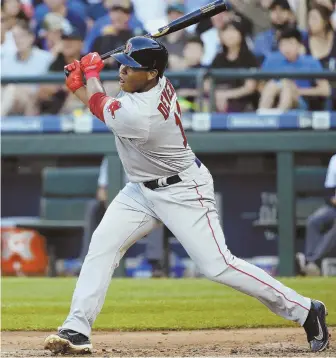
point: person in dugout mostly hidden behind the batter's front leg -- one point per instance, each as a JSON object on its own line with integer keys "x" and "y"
{"x": 95, "y": 212}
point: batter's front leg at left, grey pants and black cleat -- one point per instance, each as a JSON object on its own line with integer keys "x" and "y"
{"x": 126, "y": 220}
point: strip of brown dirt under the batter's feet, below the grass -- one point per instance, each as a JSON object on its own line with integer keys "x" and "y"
{"x": 279, "y": 342}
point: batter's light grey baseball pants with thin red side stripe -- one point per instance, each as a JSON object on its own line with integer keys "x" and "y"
{"x": 188, "y": 210}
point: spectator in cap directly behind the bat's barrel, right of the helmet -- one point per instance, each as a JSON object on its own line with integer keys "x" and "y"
{"x": 176, "y": 41}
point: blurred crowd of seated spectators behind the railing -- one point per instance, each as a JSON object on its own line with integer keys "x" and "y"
{"x": 42, "y": 36}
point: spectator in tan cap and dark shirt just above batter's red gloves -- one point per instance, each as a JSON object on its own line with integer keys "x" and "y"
{"x": 114, "y": 35}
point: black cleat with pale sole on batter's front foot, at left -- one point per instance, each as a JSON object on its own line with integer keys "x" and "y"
{"x": 68, "y": 341}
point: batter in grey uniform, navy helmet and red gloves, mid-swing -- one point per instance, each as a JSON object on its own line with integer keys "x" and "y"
{"x": 168, "y": 184}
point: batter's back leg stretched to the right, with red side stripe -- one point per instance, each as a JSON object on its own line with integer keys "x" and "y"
{"x": 188, "y": 209}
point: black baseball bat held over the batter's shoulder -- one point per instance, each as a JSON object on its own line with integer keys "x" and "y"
{"x": 184, "y": 21}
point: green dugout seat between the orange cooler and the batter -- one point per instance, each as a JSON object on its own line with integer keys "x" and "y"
{"x": 65, "y": 194}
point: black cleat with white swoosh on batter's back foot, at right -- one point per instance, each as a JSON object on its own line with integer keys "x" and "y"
{"x": 316, "y": 327}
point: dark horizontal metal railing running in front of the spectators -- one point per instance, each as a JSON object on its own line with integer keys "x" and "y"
{"x": 199, "y": 74}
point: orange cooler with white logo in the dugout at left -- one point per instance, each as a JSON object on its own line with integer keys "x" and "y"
{"x": 23, "y": 252}
